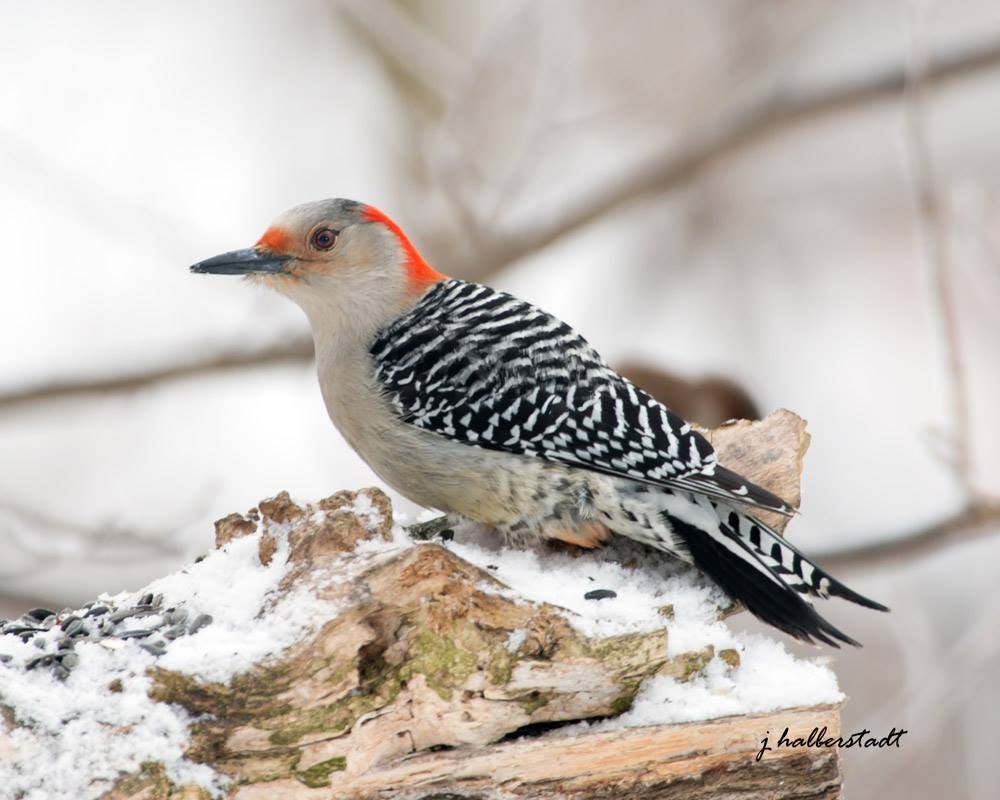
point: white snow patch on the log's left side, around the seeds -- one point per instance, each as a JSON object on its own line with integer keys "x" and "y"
{"x": 78, "y": 735}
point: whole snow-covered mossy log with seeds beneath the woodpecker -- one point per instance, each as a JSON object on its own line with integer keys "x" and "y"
{"x": 319, "y": 651}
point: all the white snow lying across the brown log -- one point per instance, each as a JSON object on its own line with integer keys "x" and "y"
{"x": 78, "y": 735}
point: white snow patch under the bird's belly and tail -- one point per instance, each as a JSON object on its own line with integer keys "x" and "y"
{"x": 654, "y": 591}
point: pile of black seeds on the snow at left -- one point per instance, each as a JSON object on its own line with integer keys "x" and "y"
{"x": 56, "y": 634}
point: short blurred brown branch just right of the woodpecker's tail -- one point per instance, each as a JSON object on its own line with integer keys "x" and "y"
{"x": 979, "y": 519}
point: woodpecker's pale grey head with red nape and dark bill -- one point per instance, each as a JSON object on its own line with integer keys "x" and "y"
{"x": 334, "y": 256}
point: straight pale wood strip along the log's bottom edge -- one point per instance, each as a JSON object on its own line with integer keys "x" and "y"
{"x": 692, "y": 761}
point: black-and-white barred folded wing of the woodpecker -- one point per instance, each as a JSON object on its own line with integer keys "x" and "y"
{"x": 484, "y": 368}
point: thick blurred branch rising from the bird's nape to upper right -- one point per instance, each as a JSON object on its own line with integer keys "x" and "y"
{"x": 677, "y": 169}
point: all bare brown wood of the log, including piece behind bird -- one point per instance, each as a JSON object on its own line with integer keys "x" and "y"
{"x": 430, "y": 679}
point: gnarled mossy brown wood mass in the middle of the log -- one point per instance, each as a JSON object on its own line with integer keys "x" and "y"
{"x": 419, "y": 657}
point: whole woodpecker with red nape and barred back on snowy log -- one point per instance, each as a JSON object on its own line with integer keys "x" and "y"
{"x": 474, "y": 402}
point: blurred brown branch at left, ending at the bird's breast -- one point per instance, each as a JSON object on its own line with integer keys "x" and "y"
{"x": 295, "y": 350}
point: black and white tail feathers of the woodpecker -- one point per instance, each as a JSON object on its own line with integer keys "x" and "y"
{"x": 756, "y": 566}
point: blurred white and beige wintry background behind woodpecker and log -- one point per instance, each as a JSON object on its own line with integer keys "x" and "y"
{"x": 799, "y": 197}
